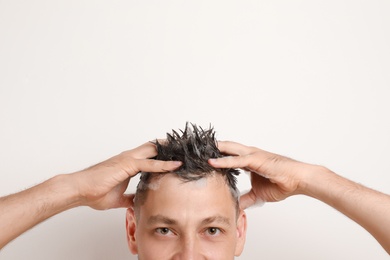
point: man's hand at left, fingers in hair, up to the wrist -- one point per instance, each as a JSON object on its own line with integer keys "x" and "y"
{"x": 102, "y": 186}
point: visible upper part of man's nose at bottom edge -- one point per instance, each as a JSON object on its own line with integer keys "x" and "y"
{"x": 189, "y": 249}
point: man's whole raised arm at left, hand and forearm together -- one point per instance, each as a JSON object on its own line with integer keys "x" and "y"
{"x": 100, "y": 187}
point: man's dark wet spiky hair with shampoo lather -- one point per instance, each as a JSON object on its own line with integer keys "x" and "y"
{"x": 193, "y": 147}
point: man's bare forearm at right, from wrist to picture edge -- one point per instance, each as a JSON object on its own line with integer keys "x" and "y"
{"x": 369, "y": 208}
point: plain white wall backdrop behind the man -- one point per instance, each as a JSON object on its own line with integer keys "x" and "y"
{"x": 81, "y": 81}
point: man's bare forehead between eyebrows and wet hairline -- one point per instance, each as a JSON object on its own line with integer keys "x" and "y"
{"x": 171, "y": 196}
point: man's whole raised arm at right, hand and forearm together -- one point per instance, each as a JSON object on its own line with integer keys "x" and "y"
{"x": 274, "y": 178}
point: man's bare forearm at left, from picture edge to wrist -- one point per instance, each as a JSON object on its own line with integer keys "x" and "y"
{"x": 21, "y": 211}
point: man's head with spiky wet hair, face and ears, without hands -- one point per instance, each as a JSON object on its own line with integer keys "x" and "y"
{"x": 191, "y": 213}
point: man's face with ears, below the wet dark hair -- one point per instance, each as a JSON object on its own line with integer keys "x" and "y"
{"x": 187, "y": 220}
